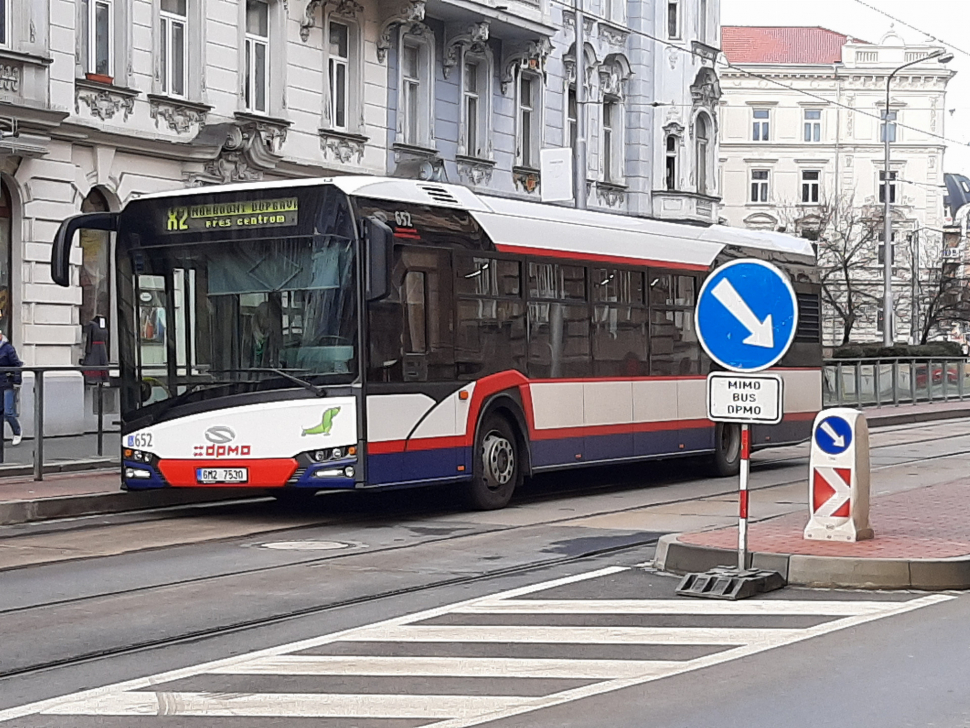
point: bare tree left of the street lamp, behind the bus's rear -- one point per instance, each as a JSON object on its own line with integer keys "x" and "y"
{"x": 845, "y": 238}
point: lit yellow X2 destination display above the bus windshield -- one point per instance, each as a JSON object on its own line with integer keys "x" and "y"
{"x": 242, "y": 214}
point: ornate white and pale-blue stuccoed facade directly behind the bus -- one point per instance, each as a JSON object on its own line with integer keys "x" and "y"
{"x": 105, "y": 100}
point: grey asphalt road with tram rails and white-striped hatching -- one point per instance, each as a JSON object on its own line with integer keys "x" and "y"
{"x": 400, "y": 610}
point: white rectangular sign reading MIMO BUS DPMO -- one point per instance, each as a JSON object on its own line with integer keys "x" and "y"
{"x": 745, "y": 398}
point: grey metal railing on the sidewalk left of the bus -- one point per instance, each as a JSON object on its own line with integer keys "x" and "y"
{"x": 80, "y": 399}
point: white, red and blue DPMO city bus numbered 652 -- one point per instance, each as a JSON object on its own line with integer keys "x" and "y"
{"x": 364, "y": 332}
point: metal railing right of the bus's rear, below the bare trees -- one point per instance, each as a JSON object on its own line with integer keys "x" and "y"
{"x": 894, "y": 381}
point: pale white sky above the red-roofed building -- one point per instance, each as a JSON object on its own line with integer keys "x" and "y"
{"x": 943, "y": 19}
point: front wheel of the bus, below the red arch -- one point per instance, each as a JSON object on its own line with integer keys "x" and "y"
{"x": 497, "y": 468}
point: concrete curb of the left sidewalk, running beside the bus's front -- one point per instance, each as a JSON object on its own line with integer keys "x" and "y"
{"x": 73, "y": 506}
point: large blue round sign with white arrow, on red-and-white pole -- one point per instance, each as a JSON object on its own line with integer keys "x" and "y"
{"x": 747, "y": 314}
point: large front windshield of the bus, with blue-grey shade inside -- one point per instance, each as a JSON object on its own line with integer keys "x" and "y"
{"x": 260, "y": 310}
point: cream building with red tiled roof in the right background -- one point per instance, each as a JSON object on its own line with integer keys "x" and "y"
{"x": 802, "y": 149}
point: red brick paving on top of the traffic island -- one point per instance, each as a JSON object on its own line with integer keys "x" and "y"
{"x": 925, "y": 523}
